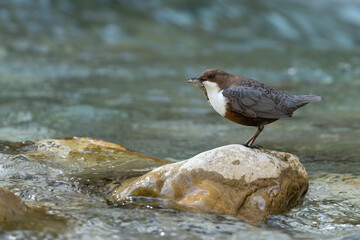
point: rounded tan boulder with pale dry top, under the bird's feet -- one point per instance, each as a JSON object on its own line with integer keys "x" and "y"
{"x": 233, "y": 180}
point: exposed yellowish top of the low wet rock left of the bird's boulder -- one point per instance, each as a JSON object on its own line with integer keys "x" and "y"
{"x": 81, "y": 152}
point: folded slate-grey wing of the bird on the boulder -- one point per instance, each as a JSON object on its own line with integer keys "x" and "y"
{"x": 254, "y": 102}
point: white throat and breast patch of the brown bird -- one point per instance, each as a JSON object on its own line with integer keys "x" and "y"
{"x": 216, "y": 98}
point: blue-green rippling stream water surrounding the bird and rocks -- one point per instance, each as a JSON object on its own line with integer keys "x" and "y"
{"x": 117, "y": 70}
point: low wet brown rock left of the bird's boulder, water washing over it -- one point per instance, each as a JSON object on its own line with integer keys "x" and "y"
{"x": 89, "y": 163}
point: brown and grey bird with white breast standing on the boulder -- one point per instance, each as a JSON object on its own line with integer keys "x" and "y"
{"x": 246, "y": 101}
